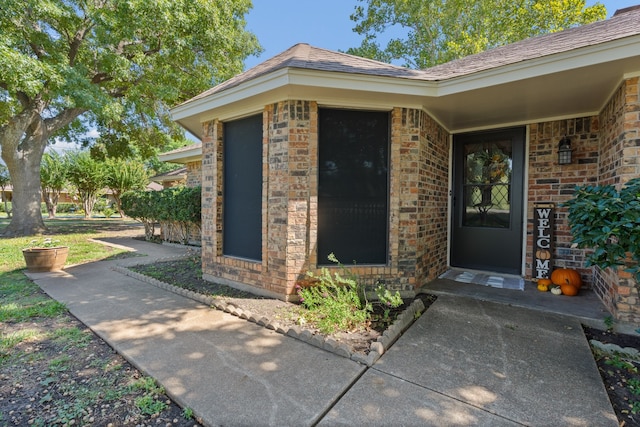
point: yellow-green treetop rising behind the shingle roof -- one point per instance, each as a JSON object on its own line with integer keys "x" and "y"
{"x": 438, "y": 31}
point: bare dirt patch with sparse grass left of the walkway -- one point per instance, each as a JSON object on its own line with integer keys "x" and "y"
{"x": 66, "y": 375}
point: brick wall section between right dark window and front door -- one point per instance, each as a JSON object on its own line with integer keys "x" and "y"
{"x": 419, "y": 195}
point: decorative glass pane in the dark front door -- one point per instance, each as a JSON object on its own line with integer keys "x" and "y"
{"x": 487, "y": 184}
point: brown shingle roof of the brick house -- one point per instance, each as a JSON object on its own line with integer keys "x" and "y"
{"x": 304, "y": 56}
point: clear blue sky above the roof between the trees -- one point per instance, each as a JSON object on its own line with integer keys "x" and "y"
{"x": 280, "y": 24}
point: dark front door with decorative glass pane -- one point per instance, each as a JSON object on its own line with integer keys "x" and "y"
{"x": 487, "y": 223}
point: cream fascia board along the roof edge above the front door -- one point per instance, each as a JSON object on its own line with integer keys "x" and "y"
{"x": 602, "y": 53}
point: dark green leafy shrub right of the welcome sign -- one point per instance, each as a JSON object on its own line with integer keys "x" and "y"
{"x": 608, "y": 221}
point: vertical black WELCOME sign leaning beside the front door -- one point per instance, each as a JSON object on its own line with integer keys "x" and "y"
{"x": 543, "y": 221}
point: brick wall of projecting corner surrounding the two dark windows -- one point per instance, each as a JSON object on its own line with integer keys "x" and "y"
{"x": 418, "y": 194}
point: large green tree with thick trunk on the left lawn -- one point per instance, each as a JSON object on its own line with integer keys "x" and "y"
{"x": 104, "y": 63}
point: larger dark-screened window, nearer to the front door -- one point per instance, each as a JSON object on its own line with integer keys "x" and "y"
{"x": 353, "y": 195}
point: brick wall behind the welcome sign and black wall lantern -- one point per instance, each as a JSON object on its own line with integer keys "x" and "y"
{"x": 551, "y": 182}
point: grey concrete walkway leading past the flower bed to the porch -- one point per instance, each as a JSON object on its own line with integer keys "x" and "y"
{"x": 464, "y": 362}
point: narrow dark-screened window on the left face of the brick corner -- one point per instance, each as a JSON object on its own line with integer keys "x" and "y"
{"x": 242, "y": 203}
